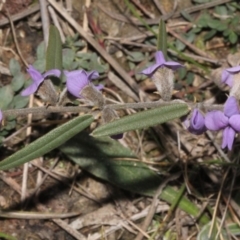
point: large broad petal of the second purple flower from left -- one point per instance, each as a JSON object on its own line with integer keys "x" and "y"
{"x": 76, "y": 81}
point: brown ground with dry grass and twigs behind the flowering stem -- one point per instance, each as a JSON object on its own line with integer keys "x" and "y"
{"x": 109, "y": 188}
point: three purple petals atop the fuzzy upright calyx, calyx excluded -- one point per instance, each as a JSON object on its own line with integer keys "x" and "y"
{"x": 160, "y": 62}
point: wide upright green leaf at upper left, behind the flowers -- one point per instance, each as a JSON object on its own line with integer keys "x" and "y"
{"x": 54, "y": 50}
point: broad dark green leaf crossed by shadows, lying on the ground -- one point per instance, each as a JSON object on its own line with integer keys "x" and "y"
{"x": 109, "y": 160}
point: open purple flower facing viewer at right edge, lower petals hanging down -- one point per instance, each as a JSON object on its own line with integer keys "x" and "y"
{"x": 228, "y": 120}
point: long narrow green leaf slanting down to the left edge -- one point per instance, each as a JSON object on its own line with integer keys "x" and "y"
{"x": 47, "y": 142}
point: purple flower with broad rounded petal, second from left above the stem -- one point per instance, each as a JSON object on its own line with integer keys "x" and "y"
{"x": 78, "y": 79}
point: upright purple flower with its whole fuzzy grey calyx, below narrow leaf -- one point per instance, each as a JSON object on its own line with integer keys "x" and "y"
{"x": 162, "y": 75}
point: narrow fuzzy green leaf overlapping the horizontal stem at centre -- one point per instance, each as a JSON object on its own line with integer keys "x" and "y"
{"x": 143, "y": 119}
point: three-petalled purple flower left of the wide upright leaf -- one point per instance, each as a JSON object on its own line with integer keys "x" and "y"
{"x": 38, "y": 78}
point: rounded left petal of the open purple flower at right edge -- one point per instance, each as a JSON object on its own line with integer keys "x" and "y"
{"x": 215, "y": 120}
